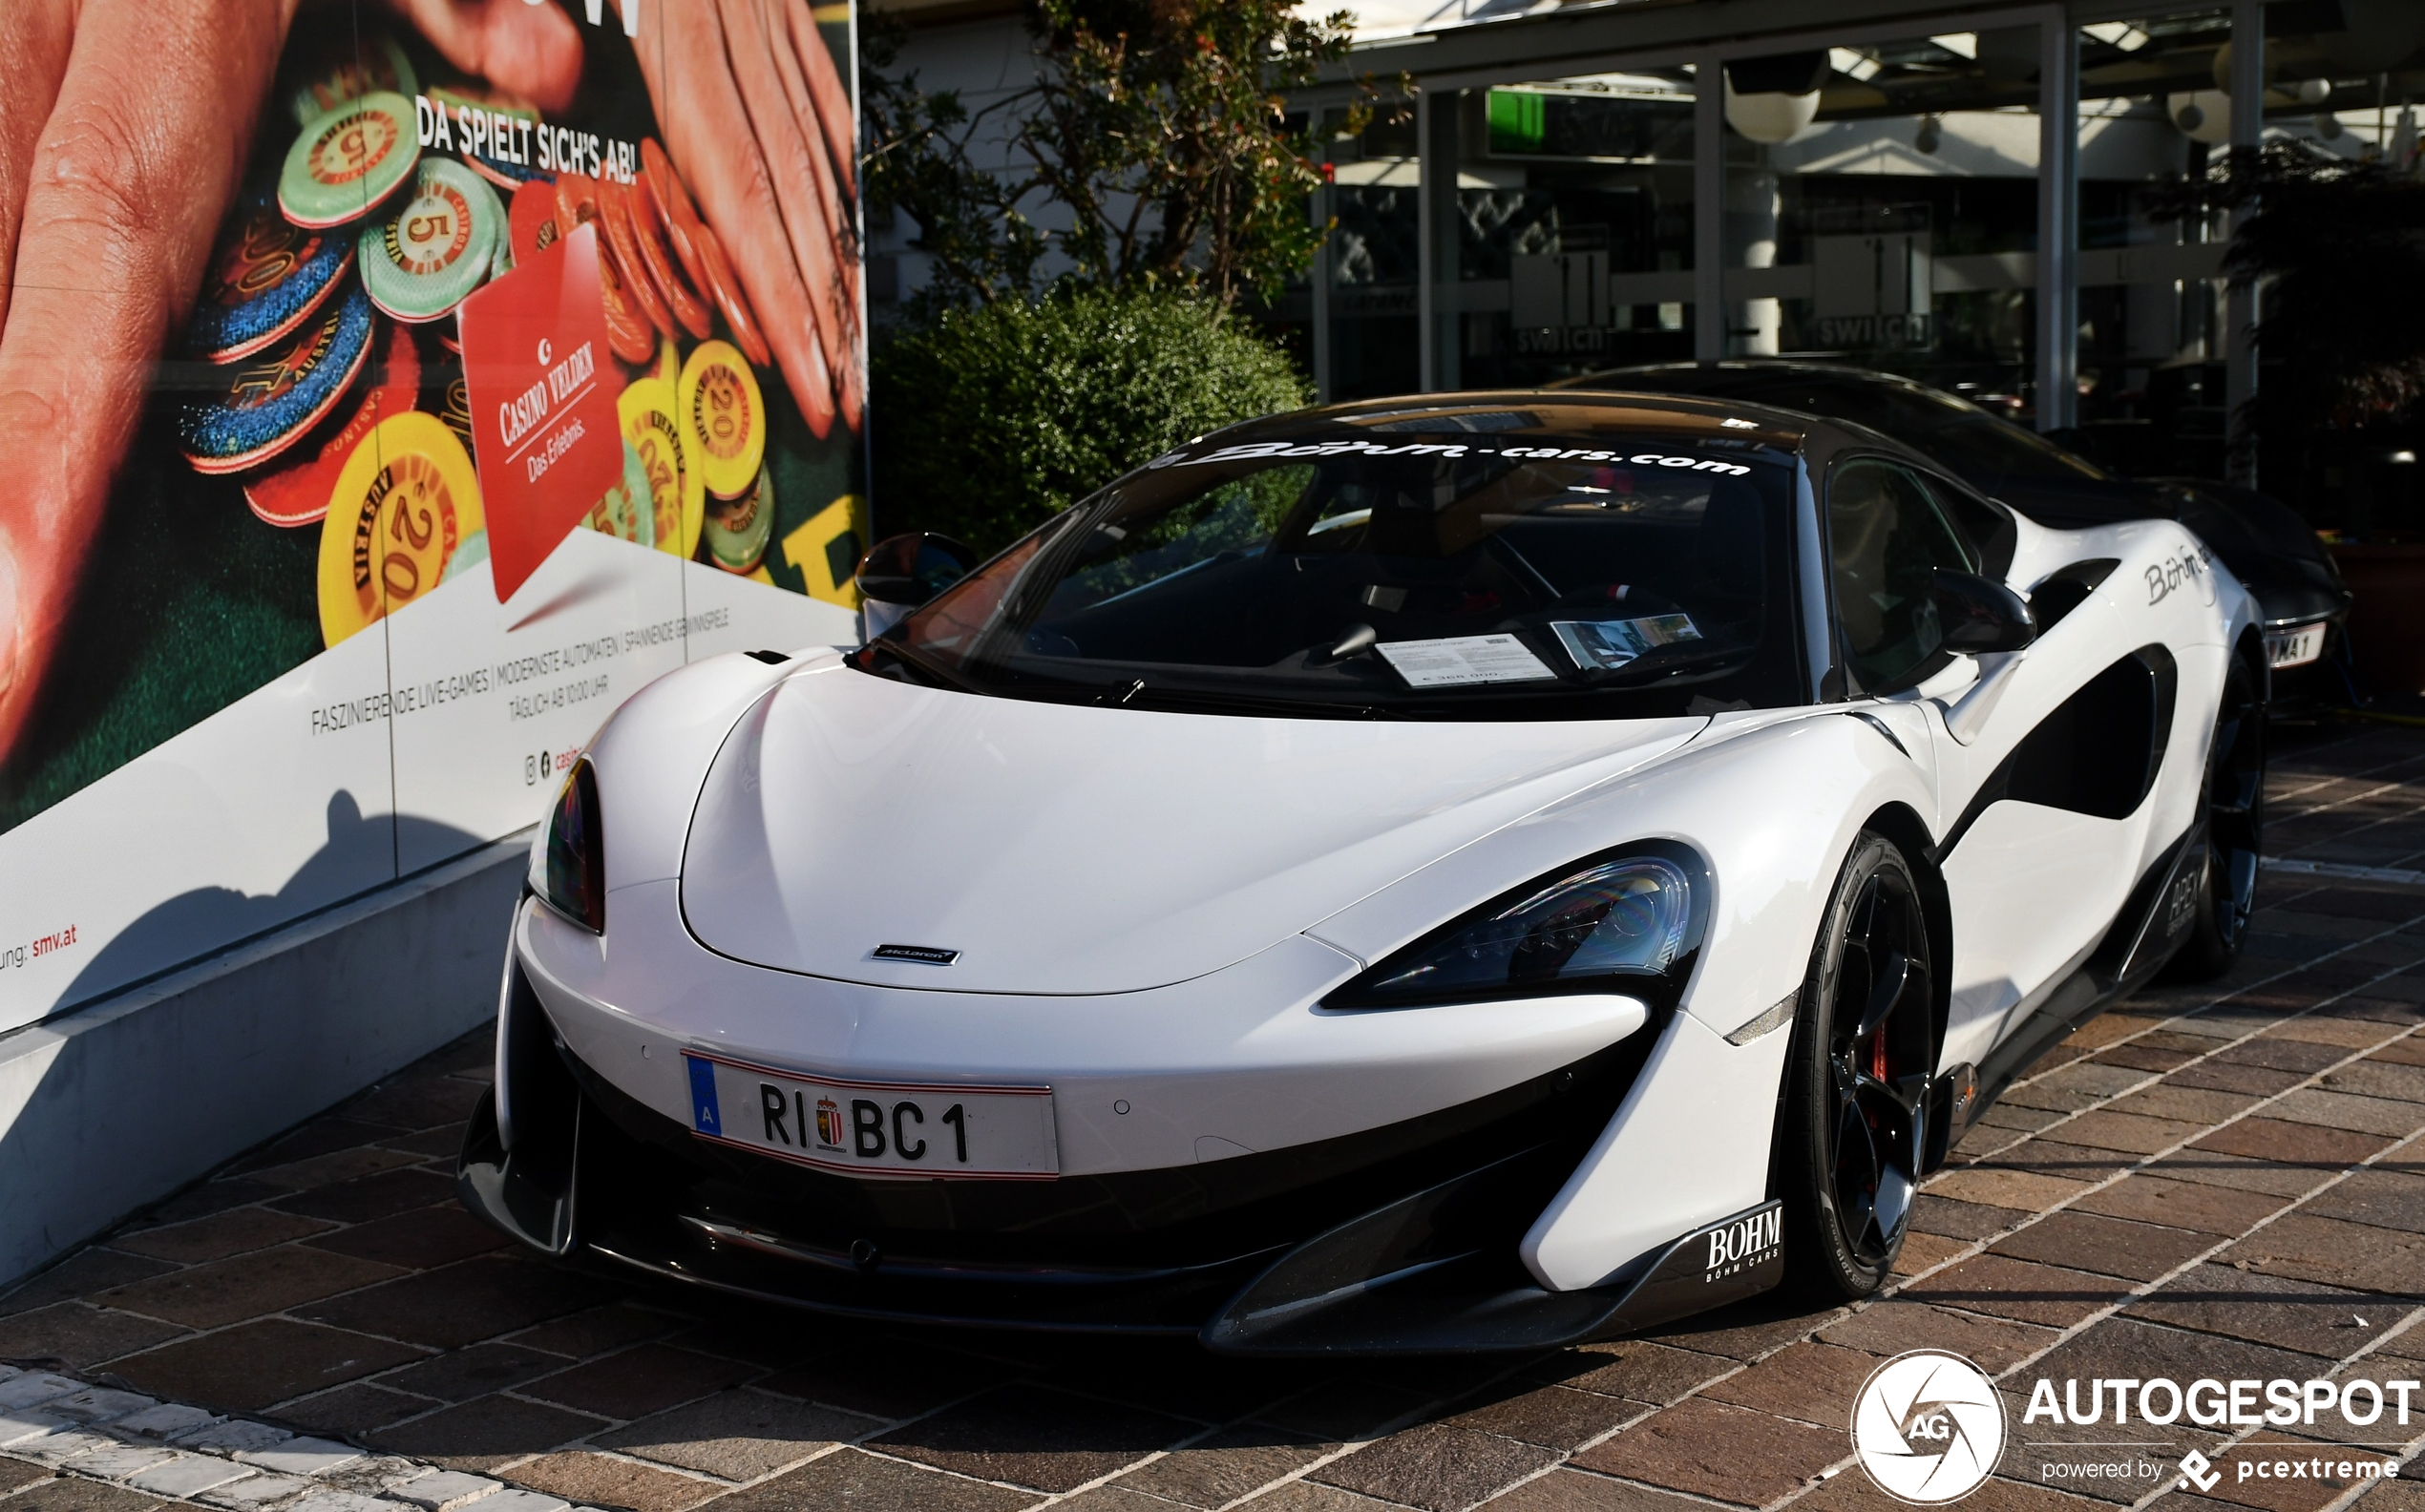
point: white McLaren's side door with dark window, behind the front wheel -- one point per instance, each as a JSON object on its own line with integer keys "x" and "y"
{"x": 2031, "y": 886}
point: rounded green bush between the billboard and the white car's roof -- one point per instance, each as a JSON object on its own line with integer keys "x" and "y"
{"x": 991, "y": 420}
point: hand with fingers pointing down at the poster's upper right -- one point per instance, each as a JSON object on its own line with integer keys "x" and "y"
{"x": 763, "y": 130}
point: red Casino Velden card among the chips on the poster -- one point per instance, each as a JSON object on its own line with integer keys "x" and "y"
{"x": 542, "y": 403}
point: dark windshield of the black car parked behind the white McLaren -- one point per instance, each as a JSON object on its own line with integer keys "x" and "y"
{"x": 1953, "y": 433}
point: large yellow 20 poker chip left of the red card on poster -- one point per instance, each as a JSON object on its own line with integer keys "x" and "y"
{"x": 404, "y": 508}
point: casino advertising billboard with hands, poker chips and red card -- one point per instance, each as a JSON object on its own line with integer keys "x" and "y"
{"x": 387, "y": 394}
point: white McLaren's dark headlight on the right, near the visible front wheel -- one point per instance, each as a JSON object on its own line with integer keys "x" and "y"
{"x": 1631, "y": 917}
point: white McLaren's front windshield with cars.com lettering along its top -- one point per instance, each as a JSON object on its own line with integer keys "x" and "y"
{"x": 1410, "y": 575}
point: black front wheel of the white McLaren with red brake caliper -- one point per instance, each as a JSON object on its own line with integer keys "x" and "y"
{"x": 1856, "y": 1109}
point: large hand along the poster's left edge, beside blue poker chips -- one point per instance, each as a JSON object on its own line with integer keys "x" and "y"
{"x": 125, "y": 130}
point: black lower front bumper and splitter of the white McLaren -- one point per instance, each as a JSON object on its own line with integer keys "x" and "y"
{"x": 1396, "y": 1237}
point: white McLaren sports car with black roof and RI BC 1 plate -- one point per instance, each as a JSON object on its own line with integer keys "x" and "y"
{"x": 1422, "y": 876}
